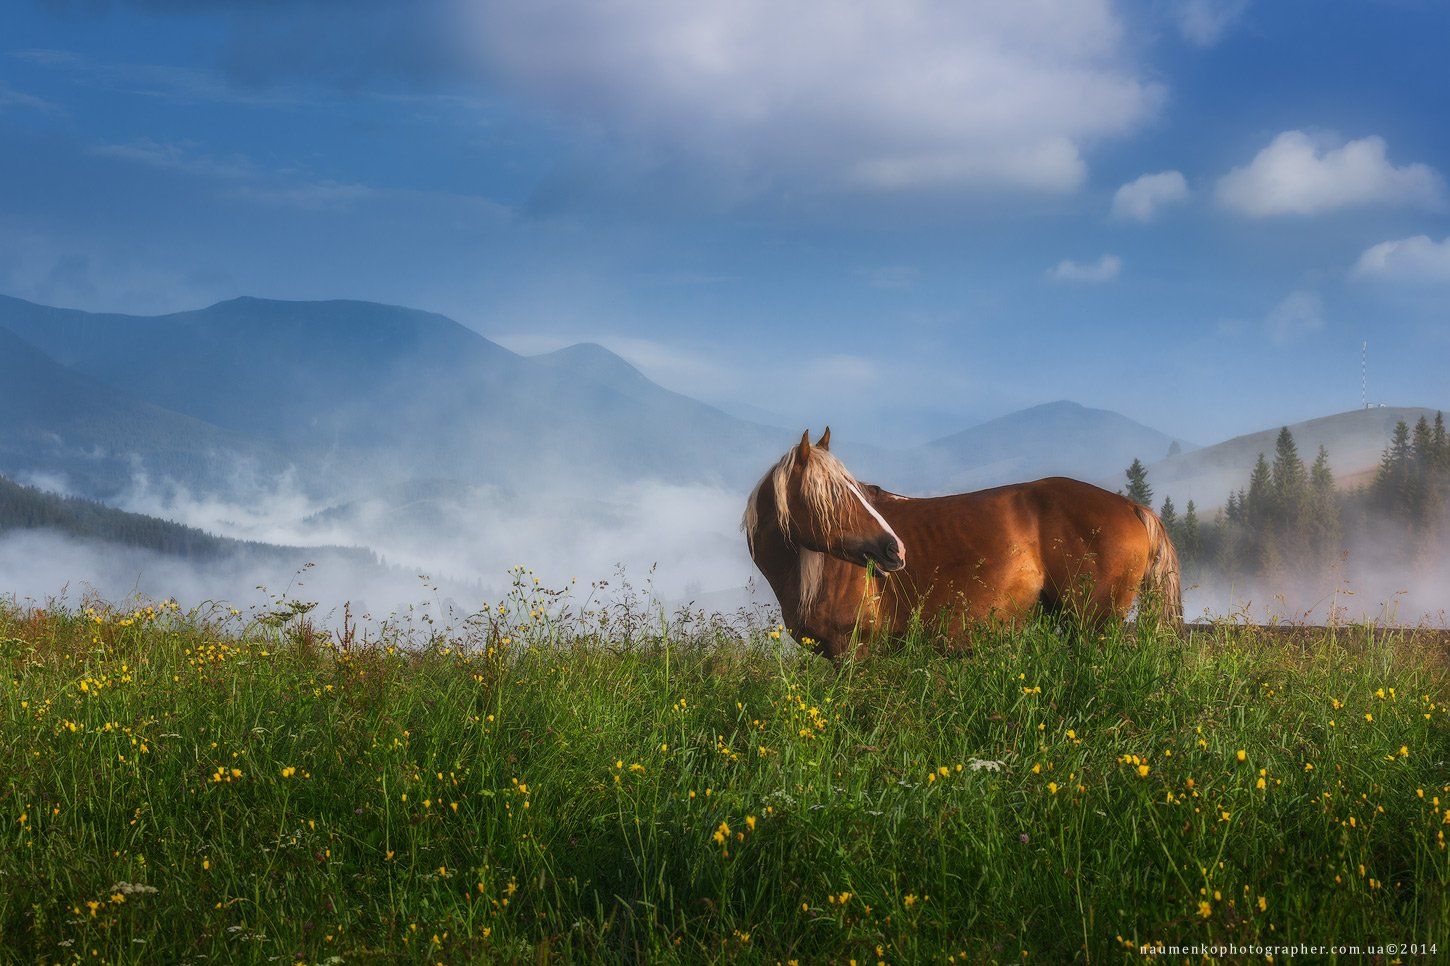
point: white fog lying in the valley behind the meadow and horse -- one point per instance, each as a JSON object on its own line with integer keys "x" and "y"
{"x": 447, "y": 549}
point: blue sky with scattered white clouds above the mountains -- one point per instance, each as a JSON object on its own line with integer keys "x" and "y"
{"x": 900, "y": 218}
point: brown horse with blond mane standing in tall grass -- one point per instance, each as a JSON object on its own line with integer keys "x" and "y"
{"x": 1065, "y": 546}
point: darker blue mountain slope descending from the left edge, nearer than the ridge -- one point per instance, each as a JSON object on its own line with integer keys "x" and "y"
{"x": 56, "y": 421}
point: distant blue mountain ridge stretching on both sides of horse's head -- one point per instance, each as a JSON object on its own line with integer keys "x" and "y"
{"x": 366, "y": 398}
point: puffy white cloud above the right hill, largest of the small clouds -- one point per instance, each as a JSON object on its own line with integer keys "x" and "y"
{"x": 1303, "y": 175}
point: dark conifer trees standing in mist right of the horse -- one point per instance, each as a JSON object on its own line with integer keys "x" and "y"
{"x": 1290, "y": 517}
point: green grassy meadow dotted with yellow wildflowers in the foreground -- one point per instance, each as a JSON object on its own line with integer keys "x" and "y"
{"x": 186, "y": 787}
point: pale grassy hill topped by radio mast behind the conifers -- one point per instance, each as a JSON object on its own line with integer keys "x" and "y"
{"x": 1355, "y": 442}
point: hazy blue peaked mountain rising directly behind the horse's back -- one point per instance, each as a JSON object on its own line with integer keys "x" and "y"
{"x": 1059, "y": 439}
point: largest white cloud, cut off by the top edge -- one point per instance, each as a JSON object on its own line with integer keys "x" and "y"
{"x": 894, "y": 96}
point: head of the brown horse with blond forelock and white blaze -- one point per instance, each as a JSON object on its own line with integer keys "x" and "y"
{"x": 819, "y": 505}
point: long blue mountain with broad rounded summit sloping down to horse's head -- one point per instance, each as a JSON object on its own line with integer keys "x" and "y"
{"x": 357, "y": 391}
